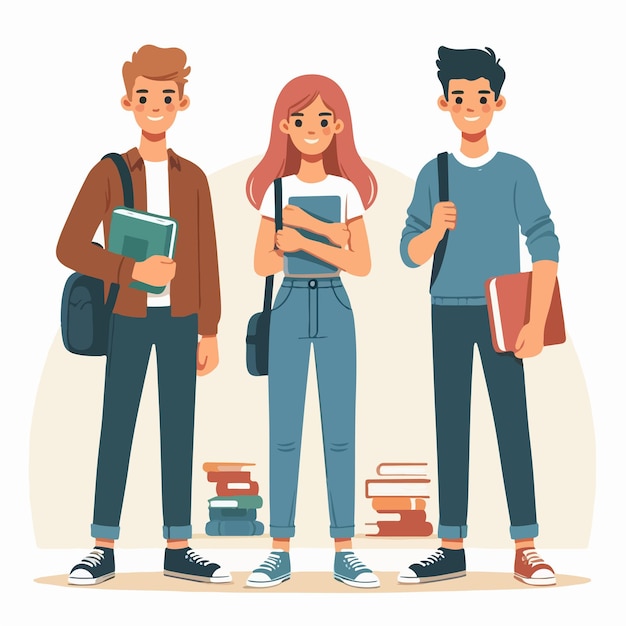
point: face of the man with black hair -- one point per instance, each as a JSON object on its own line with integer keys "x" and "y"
{"x": 471, "y": 103}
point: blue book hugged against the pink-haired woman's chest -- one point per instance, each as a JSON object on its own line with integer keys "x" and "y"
{"x": 325, "y": 209}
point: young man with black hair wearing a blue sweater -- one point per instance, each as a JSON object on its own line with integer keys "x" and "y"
{"x": 493, "y": 196}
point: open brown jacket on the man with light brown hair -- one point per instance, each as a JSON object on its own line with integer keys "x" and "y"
{"x": 195, "y": 287}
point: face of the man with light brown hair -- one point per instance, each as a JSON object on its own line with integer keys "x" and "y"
{"x": 155, "y": 104}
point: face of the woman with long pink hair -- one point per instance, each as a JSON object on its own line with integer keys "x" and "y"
{"x": 312, "y": 129}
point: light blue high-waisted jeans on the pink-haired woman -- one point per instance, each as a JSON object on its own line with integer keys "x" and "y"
{"x": 312, "y": 312}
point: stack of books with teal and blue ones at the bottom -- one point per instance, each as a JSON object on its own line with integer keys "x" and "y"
{"x": 233, "y": 510}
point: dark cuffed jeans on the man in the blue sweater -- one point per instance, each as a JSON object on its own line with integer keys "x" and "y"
{"x": 455, "y": 331}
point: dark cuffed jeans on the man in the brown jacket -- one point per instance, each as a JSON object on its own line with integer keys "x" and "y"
{"x": 131, "y": 341}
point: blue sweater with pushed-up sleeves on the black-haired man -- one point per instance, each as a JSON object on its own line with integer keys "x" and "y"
{"x": 494, "y": 202}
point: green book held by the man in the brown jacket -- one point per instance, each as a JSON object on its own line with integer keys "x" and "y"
{"x": 139, "y": 235}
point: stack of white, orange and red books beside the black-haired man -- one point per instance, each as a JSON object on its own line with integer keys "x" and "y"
{"x": 399, "y": 495}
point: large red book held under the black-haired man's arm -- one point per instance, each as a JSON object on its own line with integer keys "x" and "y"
{"x": 508, "y": 305}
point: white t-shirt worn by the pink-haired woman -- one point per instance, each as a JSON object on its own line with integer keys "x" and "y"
{"x": 351, "y": 205}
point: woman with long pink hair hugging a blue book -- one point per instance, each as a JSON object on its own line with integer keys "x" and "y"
{"x": 325, "y": 189}
